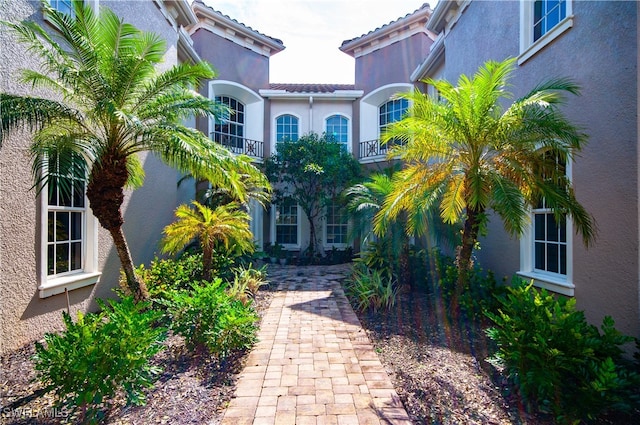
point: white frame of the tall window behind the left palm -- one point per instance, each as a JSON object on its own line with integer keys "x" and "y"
{"x": 67, "y": 281}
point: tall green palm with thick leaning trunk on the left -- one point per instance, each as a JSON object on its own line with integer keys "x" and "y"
{"x": 109, "y": 104}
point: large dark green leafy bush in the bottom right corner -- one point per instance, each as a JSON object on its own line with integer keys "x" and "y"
{"x": 557, "y": 360}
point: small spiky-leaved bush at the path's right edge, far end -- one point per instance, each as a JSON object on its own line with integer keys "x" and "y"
{"x": 371, "y": 289}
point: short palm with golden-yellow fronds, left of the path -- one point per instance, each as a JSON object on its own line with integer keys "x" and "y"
{"x": 225, "y": 224}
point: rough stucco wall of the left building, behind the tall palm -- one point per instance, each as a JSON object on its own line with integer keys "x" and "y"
{"x": 23, "y": 315}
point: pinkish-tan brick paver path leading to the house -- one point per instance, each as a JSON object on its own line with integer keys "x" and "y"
{"x": 313, "y": 364}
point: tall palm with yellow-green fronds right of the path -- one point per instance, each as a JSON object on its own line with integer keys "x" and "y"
{"x": 466, "y": 155}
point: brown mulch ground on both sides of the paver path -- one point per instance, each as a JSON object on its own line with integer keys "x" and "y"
{"x": 439, "y": 370}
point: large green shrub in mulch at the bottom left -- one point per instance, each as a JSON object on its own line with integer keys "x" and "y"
{"x": 99, "y": 355}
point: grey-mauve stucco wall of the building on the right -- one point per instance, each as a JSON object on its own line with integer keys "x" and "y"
{"x": 600, "y": 54}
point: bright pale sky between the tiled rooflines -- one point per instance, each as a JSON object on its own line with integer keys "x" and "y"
{"x": 313, "y": 30}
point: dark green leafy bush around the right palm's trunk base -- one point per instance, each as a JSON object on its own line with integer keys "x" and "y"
{"x": 478, "y": 296}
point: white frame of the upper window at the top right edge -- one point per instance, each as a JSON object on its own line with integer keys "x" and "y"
{"x": 529, "y": 47}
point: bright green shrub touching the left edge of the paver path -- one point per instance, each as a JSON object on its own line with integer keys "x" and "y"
{"x": 208, "y": 317}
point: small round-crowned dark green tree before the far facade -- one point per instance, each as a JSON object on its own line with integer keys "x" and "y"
{"x": 312, "y": 172}
